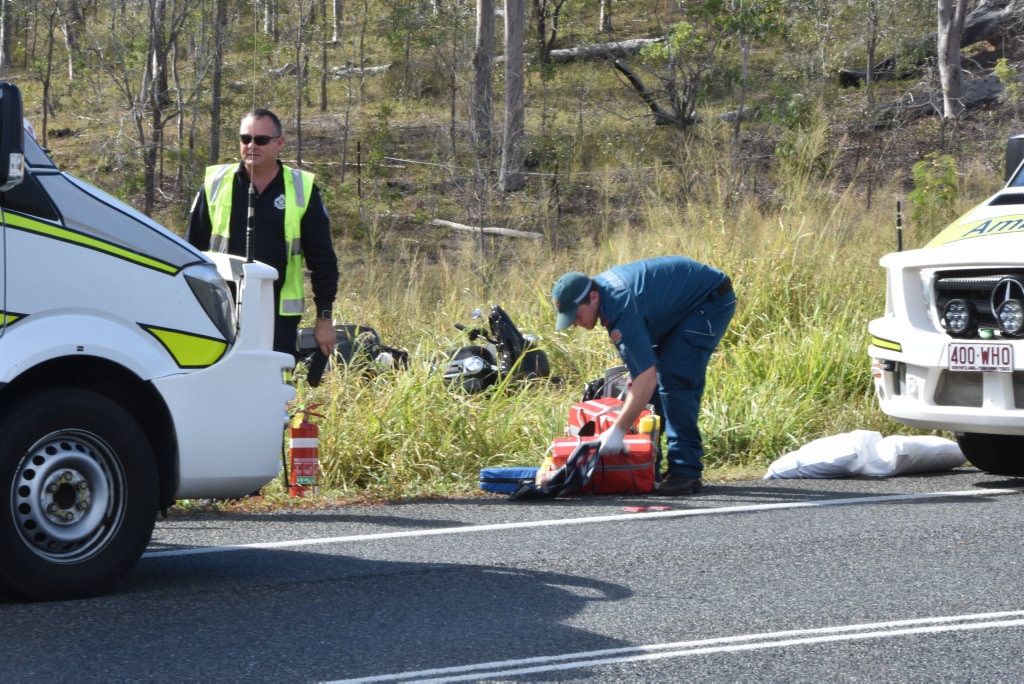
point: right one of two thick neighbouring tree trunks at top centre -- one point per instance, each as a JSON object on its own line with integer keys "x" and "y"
{"x": 513, "y": 176}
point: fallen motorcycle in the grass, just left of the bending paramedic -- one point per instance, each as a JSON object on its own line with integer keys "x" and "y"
{"x": 495, "y": 353}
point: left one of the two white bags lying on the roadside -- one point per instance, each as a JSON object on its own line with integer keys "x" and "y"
{"x": 836, "y": 456}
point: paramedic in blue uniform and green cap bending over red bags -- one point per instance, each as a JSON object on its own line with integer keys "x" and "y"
{"x": 666, "y": 317}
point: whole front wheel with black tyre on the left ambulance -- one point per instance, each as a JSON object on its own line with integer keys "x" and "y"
{"x": 80, "y": 483}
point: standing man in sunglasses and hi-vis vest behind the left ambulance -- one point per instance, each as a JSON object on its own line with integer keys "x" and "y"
{"x": 291, "y": 226}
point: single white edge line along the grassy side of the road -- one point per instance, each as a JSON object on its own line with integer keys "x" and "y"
{"x": 470, "y": 529}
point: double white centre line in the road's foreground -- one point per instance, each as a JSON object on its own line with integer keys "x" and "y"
{"x": 747, "y": 643}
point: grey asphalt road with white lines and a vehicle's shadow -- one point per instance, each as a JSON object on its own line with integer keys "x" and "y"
{"x": 908, "y": 579}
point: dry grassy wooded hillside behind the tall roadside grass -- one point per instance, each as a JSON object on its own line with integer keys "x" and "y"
{"x": 393, "y": 148}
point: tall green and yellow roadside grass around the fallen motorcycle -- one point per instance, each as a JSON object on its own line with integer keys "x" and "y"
{"x": 793, "y": 367}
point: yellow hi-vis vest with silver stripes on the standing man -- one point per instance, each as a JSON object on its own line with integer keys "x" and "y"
{"x": 298, "y": 190}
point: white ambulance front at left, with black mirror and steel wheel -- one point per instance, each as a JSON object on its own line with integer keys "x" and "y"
{"x": 135, "y": 371}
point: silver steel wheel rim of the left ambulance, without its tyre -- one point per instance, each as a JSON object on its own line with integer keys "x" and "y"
{"x": 64, "y": 496}
